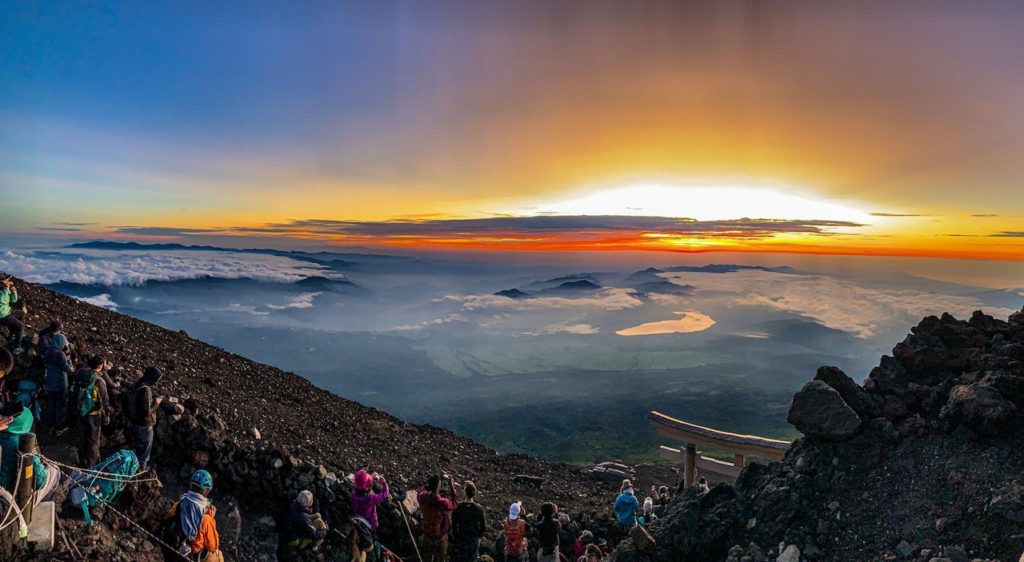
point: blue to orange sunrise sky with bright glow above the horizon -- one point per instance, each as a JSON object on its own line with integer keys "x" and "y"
{"x": 852, "y": 128}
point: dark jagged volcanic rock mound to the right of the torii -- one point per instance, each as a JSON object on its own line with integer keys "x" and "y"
{"x": 925, "y": 461}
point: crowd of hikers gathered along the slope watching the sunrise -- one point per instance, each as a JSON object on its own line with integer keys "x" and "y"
{"x": 50, "y": 383}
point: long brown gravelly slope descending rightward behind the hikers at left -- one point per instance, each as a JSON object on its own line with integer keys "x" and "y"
{"x": 266, "y": 435}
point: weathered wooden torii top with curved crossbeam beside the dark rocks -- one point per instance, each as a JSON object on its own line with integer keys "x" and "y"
{"x": 693, "y": 436}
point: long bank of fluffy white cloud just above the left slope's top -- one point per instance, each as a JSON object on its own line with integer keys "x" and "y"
{"x": 113, "y": 269}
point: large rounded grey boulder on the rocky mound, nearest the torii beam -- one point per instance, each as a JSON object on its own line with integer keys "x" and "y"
{"x": 819, "y": 410}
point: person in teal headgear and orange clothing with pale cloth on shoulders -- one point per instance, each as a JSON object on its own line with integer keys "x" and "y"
{"x": 193, "y": 529}
